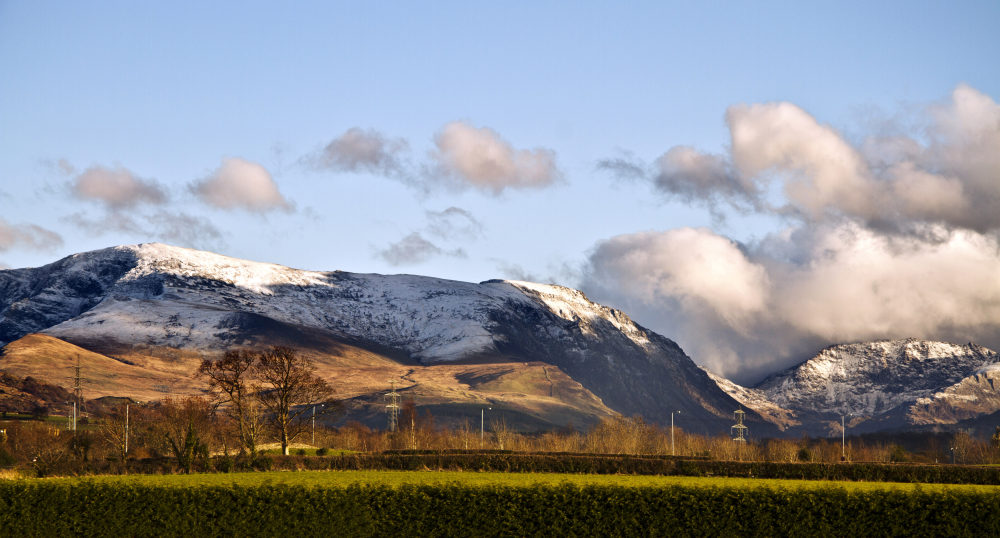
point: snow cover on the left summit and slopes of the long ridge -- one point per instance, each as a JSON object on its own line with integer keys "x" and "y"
{"x": 180, "y": 297}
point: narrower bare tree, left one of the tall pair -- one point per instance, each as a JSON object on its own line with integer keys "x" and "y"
{"x": 229, "y": 381}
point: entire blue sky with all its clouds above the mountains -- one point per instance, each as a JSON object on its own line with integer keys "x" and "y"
{"x": 755, "y": 180}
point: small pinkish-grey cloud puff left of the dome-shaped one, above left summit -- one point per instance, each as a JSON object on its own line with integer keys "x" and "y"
{"x": 117, "y": 188}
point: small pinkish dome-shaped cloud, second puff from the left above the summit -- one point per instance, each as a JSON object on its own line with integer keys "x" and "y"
{"x": 241, "y": 184}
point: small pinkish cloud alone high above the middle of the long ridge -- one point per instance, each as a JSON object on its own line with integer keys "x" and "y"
{"x": 480, "y": 158}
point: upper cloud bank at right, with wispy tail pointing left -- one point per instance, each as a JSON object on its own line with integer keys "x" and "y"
{"x": 943, "y": 173}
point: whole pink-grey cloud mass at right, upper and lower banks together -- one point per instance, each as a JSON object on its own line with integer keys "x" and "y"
{"x": 887, "y": 237}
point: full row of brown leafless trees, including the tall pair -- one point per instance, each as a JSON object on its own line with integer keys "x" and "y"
{"x": 257, "y": 396}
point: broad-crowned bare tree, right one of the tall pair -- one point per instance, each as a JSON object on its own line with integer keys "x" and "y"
{"x": 289, "y": 389}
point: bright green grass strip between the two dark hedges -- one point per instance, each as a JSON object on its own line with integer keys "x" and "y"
{"x": 398, "y": 478}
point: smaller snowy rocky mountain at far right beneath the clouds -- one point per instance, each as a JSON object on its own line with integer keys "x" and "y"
{"x": 880, "y": 385}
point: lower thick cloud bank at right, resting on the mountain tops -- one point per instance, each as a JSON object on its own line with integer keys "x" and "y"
{"x": 746, "y": 310}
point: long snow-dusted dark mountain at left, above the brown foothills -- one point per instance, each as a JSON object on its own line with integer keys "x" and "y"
{"x": 165, "y": 297}
